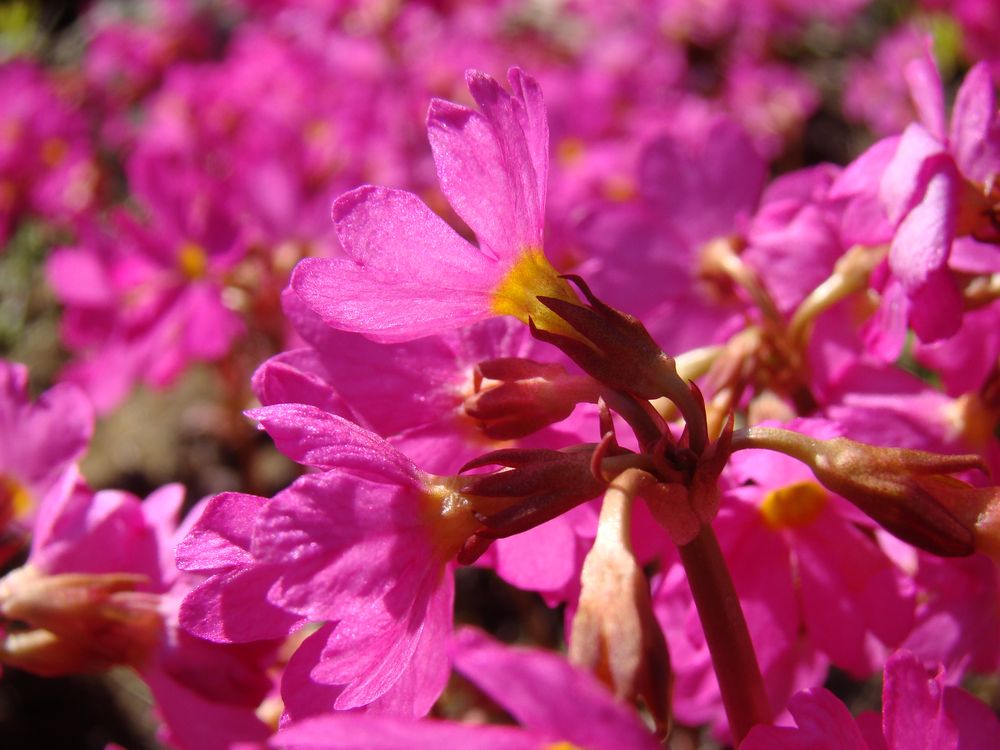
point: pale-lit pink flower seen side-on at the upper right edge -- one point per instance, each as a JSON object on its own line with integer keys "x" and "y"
{"x": 936, "y": 193}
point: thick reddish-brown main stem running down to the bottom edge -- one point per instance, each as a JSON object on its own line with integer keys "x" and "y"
{"x": 733, "y": 657}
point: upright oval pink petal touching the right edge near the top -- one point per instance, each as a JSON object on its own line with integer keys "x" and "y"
{"x": 975, "y": 128}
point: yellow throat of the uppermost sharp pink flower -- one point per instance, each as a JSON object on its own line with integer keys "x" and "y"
{"x": 531, "y": 277}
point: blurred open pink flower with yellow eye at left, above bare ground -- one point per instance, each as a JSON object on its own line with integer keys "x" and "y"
{"x": 145, "y": 300}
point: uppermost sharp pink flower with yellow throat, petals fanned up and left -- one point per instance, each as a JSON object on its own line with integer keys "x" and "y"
{"x": 408, "y": 274}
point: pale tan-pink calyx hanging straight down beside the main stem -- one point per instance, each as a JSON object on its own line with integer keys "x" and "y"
{"x": 615, "y": 633}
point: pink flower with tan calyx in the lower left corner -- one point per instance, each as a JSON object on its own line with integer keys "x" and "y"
{"x": 100, "y": 589}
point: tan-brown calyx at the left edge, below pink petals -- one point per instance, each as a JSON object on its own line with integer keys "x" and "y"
{"x": 77, "y": 623}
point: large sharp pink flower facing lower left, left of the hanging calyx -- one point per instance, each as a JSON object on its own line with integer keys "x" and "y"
{"x": 364, "y": 545}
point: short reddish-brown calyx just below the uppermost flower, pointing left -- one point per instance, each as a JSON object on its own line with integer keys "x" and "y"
{"x": 529, "y": 396}
